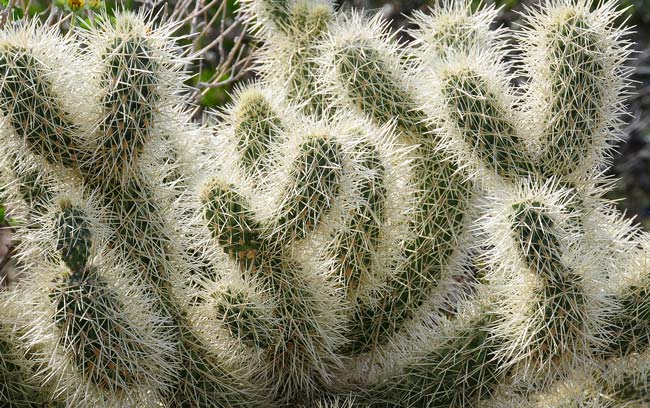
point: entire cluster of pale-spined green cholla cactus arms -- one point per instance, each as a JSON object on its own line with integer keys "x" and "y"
{"x": 370, "y": 224}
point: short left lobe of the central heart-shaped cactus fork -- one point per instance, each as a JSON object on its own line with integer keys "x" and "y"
{"x": 231, "y": 222}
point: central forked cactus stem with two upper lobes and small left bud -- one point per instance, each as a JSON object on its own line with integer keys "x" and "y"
{"x": 297, "y": 329}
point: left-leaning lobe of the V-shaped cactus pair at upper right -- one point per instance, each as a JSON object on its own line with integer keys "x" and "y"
{"x": 477, "y": 113}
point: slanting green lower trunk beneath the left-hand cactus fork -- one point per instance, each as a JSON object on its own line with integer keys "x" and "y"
{"x": 203, "y": 378}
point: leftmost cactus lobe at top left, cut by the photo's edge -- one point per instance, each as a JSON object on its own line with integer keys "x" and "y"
{"x": 34, "y": 101}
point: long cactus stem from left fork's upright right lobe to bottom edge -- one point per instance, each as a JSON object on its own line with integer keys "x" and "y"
{"x": 136, "y": 53}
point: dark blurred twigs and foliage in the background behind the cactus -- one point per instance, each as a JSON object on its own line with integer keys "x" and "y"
{"x": 212, "y": 30}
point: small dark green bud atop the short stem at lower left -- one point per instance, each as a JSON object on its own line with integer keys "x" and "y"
{"x": 74, "y": 238}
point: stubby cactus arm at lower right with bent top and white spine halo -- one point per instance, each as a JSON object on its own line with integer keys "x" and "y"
{"x": 548, "y": 315}
